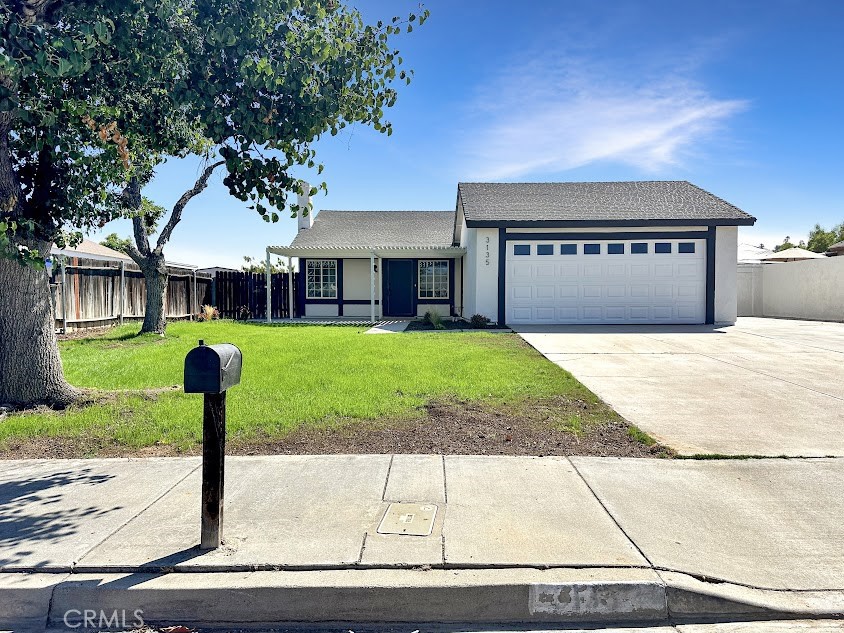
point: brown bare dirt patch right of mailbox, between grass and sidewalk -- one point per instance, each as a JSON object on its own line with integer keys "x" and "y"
{"x": 552, "y": 426}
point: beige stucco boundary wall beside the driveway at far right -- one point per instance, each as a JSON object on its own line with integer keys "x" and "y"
{"x": 812, "y": 289}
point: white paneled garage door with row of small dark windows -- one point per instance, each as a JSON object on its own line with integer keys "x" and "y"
{"x": 629, "y": 281}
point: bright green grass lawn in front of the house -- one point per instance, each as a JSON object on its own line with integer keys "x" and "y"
{"x": 292, "y": 376}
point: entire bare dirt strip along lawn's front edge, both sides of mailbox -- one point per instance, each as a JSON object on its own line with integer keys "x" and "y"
{"x": 540, "y": 427}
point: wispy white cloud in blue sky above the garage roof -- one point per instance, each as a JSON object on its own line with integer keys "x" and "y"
{"x": 554, "y": 115}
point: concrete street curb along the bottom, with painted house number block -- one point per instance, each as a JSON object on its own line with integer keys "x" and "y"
{"x": 32, "y": 602}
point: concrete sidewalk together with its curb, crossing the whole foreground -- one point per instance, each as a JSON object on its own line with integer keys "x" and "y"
{"x": 514, "y": 539}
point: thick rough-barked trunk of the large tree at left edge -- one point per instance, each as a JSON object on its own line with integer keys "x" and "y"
{"x": 30, "y": 366}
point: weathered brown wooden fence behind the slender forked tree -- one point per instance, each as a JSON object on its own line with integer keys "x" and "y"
{"x": 87, "y": 293}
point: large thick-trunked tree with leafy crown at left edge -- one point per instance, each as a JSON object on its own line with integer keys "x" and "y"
{"x": 81, "y": 84}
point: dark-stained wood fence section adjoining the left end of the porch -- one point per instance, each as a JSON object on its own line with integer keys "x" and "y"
{"x": 240, "y": 295}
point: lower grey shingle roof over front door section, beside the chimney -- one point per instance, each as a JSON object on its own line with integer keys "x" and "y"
{"x": 378, "y": 229}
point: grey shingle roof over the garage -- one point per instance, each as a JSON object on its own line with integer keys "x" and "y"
{"x": 595, "y": 203}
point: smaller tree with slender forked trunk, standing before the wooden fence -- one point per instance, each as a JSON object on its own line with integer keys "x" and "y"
{"x": 276, "y": 76}
